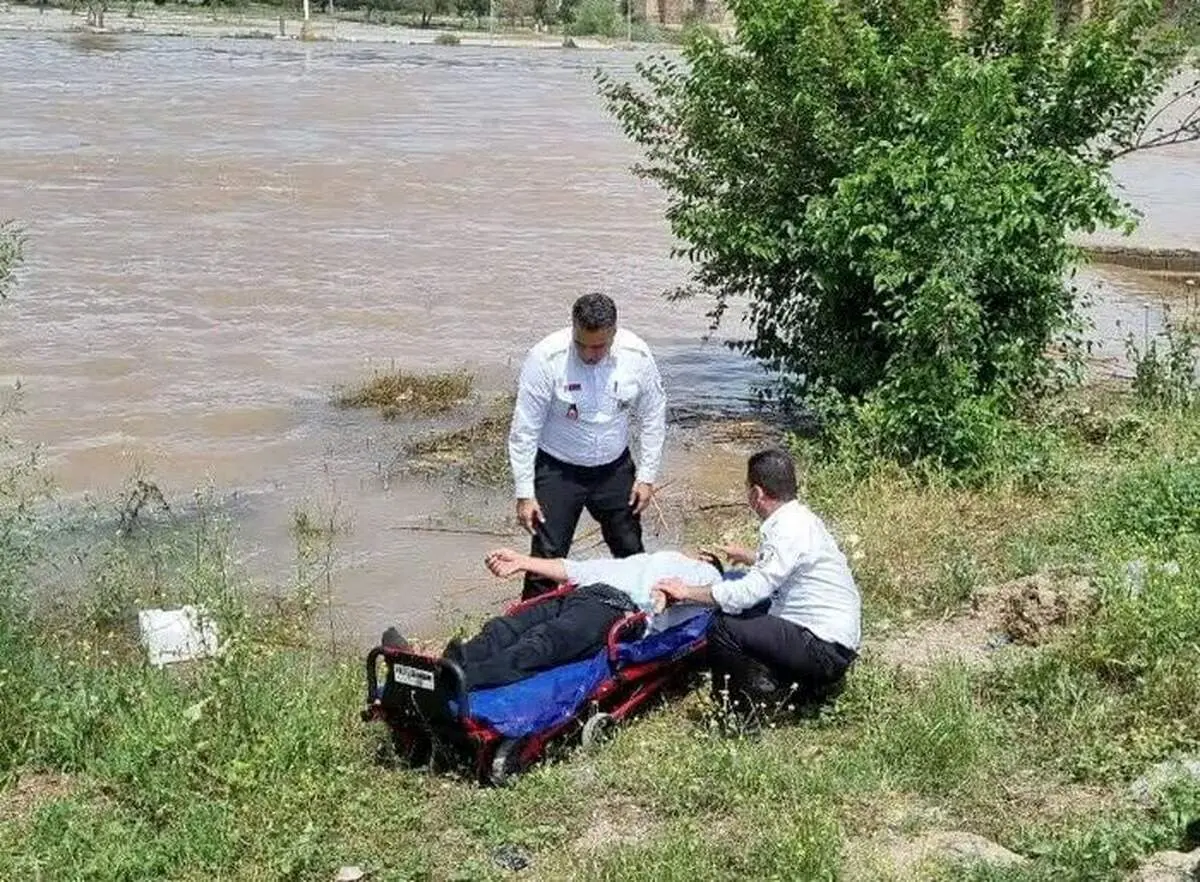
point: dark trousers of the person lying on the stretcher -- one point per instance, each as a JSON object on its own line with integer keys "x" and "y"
{"x": 548, "y": 634}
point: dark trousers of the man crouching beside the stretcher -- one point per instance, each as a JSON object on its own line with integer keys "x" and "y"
{"x": 763, "y": 658}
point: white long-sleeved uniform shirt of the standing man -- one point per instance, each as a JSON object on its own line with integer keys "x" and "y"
{"x": 579, "y": 413}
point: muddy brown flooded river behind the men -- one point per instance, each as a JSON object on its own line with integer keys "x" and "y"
{"x": 220, "y": 233}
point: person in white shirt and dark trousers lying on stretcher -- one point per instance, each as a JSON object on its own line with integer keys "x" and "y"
{"x": 575, "y": 626}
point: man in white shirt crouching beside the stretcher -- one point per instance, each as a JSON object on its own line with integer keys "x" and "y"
{"x": 790, "y": 628}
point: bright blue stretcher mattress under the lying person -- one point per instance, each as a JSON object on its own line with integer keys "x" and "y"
{"x": 553, "y": 697}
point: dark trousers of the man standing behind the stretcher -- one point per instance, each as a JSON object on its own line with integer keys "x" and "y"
{"x": 563, "y": 491}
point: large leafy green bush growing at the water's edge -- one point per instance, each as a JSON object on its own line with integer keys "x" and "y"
{"x": 892, "y": 196}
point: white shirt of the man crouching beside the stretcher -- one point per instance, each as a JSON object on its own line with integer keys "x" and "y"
{"x": 805, "y": 574}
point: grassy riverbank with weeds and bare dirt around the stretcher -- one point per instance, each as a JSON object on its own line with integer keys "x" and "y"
{"x": 256, "y": 766}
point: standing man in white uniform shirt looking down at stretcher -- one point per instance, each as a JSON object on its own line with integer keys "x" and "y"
{"x": 569, "y": 442}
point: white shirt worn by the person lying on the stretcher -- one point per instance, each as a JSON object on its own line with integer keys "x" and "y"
{"x": 635, "y": 575}
